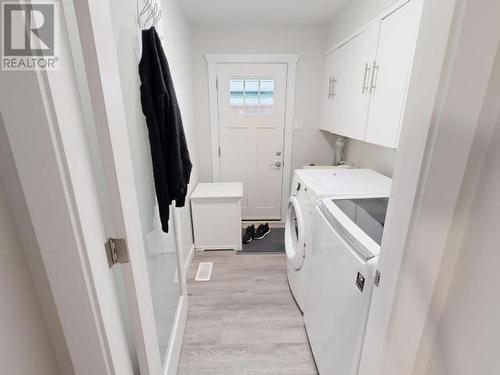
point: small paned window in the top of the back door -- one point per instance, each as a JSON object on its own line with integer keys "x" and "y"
{"x": 251, "y": 95}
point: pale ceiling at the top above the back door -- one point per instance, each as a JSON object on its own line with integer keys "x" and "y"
{"x": 261, "y": 11}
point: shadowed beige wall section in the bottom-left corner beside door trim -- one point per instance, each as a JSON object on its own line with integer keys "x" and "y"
{"x": 25, "y": 341}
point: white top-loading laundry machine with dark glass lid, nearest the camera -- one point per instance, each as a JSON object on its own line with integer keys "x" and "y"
{"x": 344, "y": 256}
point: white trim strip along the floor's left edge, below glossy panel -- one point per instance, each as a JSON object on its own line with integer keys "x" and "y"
{"x": 176, "y": 338}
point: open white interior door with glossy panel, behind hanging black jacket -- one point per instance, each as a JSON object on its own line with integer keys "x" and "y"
{"x": 152, "y": 283}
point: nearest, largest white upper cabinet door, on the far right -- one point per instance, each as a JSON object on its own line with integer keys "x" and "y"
{"x": 392, "y": 71}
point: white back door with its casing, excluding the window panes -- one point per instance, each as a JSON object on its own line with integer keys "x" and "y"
{"x": 267, "y": 185}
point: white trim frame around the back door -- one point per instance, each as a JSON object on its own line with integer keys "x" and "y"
{"x": 291, "y": 61}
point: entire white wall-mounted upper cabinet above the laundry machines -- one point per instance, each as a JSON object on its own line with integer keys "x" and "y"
{"x": 366, "y": 78}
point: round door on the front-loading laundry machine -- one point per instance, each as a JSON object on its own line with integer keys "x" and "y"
{"x": 295, "y": 234}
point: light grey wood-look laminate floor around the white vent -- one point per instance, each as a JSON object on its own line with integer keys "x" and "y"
{"x": 244, "y": 320}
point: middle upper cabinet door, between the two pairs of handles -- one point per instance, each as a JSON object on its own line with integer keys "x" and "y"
{"x": 355, "y": 60}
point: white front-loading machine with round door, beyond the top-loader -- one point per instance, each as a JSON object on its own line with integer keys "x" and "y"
{"x": 308, "y": 186}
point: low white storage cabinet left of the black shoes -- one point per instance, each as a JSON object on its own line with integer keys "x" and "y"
{"x": 216, "y": 213}
